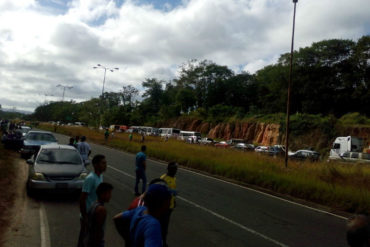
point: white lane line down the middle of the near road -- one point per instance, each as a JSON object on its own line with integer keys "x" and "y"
{"x": 215, "y": 214}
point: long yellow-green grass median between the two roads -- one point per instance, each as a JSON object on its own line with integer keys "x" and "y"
{"x": 340, "y": 186}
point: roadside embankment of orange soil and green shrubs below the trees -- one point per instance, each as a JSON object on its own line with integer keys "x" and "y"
{"x": 308, "y": 131}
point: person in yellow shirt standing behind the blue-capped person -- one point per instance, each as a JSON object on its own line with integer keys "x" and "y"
{"x": 170, "y": 180}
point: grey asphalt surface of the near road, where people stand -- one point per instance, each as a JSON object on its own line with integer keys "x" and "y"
{"x": 209, "y": 212}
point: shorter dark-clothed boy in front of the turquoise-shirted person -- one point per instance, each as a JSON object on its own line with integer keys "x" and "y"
{"x": 97, "y": 215}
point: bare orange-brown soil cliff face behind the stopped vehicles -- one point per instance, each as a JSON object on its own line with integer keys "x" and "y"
{"x": 268, "y": 133}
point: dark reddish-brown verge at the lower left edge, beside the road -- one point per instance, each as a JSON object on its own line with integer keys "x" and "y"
{"x": 7, "y": 176}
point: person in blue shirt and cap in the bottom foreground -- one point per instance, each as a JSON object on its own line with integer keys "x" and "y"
{"x": 144, "y": 226}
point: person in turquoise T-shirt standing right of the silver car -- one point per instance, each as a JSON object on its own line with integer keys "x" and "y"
{"x": 88, "y": 194}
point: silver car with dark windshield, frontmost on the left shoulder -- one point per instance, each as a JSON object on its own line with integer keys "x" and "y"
{"x": 56, "y": 167}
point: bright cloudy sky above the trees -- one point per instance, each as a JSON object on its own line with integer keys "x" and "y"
{"x": 44, "y": 43}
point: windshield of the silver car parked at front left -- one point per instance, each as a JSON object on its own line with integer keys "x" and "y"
{"x": 59, "y": 156}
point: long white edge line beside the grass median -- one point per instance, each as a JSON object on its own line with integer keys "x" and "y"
{"x": 243, "y": 187}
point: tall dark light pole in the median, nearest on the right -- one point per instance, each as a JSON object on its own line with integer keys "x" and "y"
{"x": 289, "y": 85}
